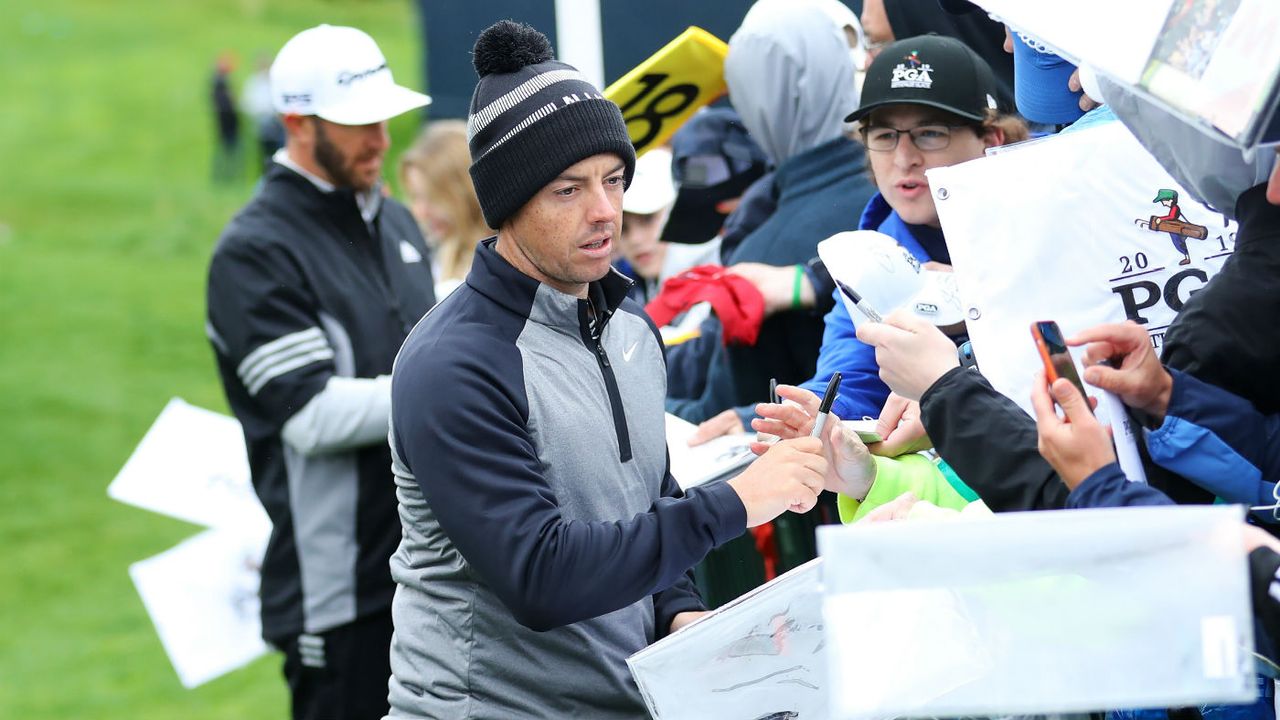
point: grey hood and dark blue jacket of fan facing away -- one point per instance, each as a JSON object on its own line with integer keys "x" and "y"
{"x": 792, "y": 80}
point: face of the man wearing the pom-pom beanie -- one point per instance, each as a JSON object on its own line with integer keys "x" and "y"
{"x": 565, "y": 235}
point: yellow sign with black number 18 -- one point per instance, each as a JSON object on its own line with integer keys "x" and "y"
{"x": 660, "y": 94}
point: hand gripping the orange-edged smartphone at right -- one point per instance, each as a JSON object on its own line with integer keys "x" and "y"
{"x": 1076, "y": 448}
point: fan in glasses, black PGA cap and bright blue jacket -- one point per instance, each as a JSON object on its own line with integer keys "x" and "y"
{"x": 929, "y": 102}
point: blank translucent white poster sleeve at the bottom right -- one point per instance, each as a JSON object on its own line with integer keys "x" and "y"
{"x": 1037, "y": 613}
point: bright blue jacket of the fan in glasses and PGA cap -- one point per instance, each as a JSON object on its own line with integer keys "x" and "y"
{"x": 862, "y": 394}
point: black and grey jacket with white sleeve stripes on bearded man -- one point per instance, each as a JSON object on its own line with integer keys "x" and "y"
{"x": 308, "y": 299}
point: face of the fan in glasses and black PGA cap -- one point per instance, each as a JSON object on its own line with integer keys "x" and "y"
{"x": 900, "y": 172}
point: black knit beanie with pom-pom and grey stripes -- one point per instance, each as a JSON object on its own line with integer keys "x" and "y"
{"x": 532, "y": 119}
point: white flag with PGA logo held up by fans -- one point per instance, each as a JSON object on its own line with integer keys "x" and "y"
{"x": 1082, "y": 229}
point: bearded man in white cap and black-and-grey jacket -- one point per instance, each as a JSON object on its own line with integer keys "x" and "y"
{"x": 312, "y": 290}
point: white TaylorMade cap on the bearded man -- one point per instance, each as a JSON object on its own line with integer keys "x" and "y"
{"x": 340, "y": 75}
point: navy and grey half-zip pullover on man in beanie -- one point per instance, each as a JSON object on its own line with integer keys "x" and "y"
{"x": 545, "y": 537}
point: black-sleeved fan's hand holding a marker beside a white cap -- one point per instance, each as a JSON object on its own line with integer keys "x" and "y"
{"x": 912, "y": 354}
